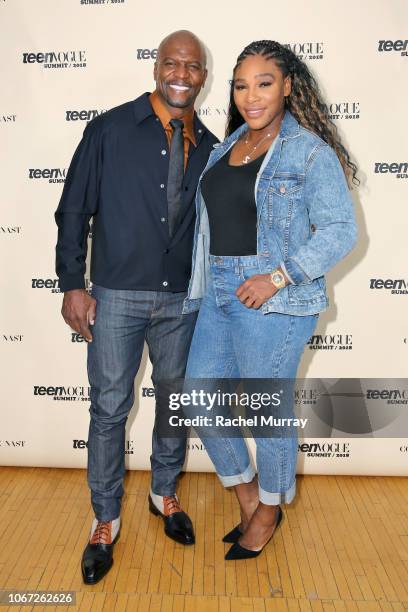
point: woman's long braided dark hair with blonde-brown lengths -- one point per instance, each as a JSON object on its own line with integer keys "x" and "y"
{"x": 304, "y": 102}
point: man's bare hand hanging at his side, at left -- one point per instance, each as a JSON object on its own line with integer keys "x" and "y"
{"x": 79, "y": 311}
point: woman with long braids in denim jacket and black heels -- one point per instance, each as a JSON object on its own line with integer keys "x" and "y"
{"x": 274, "y": 214}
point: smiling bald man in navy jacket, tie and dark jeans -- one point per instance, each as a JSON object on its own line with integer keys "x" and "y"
{"x": 135, "y": 172}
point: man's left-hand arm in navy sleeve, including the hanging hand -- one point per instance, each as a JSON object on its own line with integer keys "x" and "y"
{"x": 79, "y": 201}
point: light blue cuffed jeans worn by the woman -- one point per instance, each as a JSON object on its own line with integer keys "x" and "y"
{"x": 233, "y": 341}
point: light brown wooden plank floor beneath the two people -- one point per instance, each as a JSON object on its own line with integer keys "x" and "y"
{"x": 343, "y": 545}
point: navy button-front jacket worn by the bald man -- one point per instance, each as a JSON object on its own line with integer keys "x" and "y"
{"x": 118, "y": 176}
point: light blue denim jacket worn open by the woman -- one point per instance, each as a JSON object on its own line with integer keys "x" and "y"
{"x": 305, "y": 219}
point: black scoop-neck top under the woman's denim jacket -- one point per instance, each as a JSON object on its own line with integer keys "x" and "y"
{"x": 229, "y": 195}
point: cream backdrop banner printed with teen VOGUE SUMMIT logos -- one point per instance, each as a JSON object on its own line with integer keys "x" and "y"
{"x": 62, "y": 64}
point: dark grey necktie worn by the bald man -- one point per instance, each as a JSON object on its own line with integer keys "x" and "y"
{"x": 176, "y": 172}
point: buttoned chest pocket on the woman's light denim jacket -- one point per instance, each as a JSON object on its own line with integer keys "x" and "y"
{"x": 283, "y": 189}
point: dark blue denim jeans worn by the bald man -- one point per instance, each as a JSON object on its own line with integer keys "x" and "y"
{"x": 125, "y": 319}
